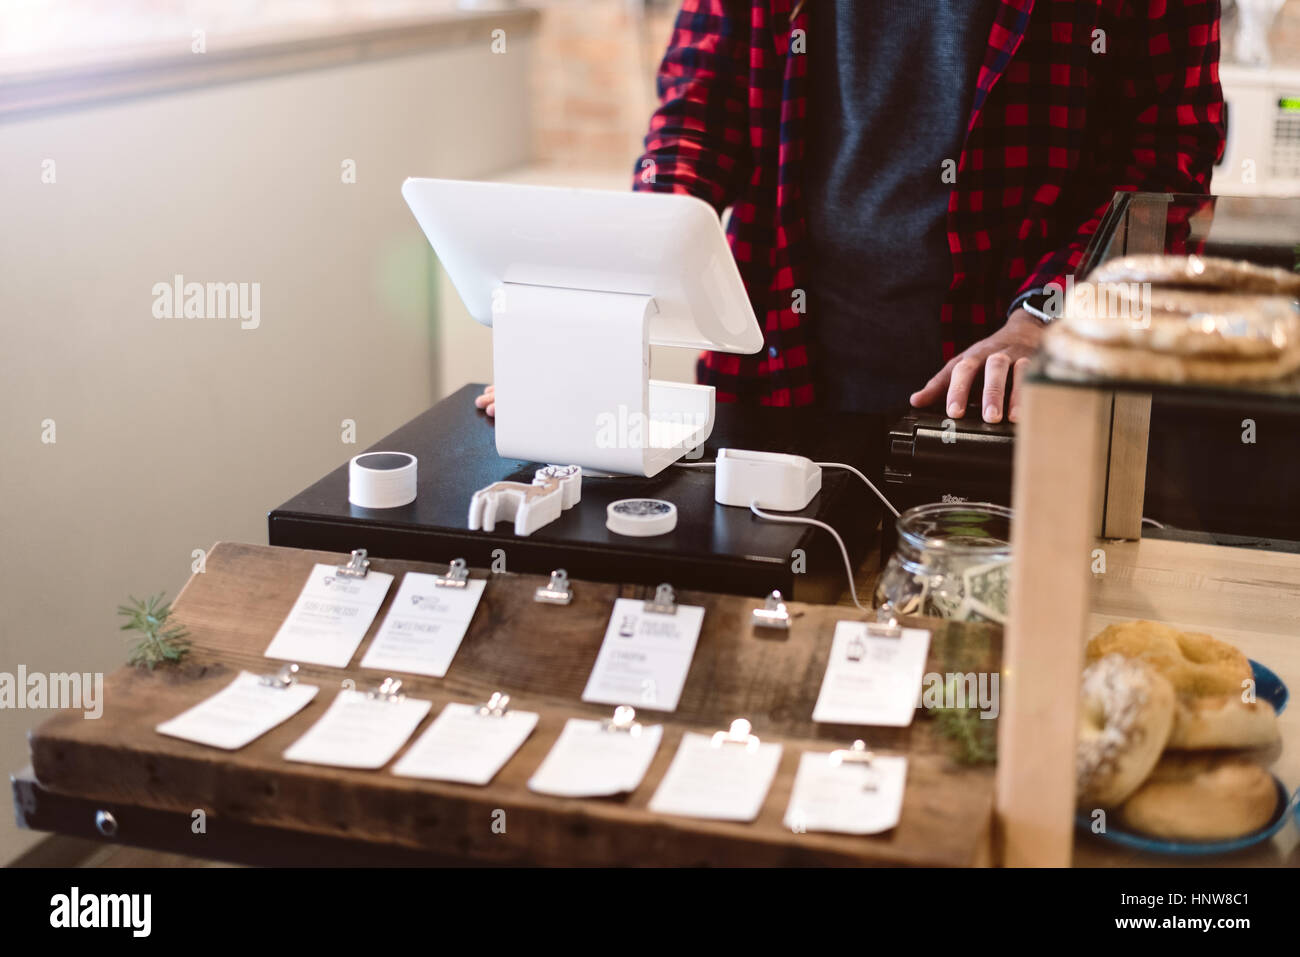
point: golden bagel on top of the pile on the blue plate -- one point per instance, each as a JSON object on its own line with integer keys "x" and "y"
{"x": 1194, "y": 664}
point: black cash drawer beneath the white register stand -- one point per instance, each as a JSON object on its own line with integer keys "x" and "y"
{"x": 714, "y": 548}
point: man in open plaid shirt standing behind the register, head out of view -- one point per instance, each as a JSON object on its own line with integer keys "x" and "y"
{"x": 908, "y": 179}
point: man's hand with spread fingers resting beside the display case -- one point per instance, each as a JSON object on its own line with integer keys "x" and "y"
{"x": 1003, "y": 356}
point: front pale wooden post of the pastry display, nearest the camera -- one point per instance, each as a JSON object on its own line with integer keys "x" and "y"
{"x": 1060, "y": 462}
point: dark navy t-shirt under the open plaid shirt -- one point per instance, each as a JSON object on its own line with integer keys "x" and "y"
{"x": 891, "y": 85}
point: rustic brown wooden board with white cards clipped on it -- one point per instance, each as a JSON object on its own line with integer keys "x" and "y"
{"x": 541, "y": 656}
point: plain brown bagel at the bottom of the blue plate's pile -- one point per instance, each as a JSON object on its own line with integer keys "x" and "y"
{"x": 1203, "y": 798}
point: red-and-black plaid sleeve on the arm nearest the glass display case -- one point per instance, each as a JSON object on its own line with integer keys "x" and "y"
{"x": 1168, "y": 129}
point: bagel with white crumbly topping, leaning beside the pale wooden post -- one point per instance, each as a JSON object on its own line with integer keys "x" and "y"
{"x": 1125, "y": 717}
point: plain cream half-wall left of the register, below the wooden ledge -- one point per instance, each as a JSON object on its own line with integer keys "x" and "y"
{"x": 177, "y": 434}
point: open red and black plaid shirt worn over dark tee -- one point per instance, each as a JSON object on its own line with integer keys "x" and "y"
{"x": 1076, "y": 99}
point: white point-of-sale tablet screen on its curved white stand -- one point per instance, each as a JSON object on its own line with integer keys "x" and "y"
{"x": 578, "y": 285}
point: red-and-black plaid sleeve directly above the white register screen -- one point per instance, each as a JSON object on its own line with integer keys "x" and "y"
{"x": 699, "y": 136}
